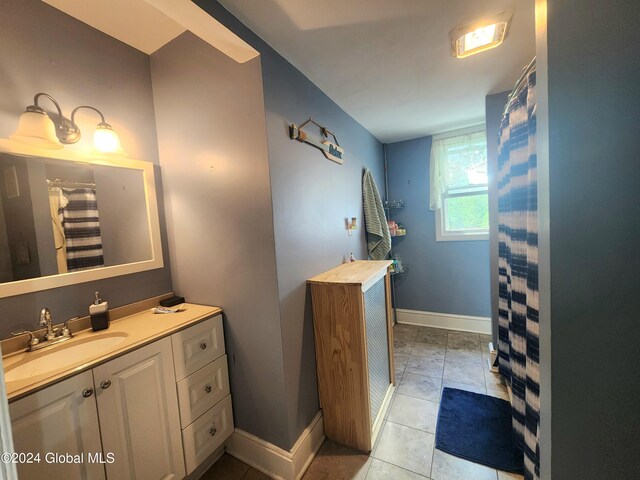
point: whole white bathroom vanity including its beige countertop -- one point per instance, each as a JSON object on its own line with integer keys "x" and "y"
{"x": 148, "y": 398}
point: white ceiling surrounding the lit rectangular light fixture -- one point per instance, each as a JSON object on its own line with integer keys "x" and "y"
{"x": 387, "y": 62}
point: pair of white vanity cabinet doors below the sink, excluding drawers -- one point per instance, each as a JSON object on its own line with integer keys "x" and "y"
{"x": 126, "y": 407}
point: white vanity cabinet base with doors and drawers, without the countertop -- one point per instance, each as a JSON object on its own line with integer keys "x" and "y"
{"x": 156, "y": 412}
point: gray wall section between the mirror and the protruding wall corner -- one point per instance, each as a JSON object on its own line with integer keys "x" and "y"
{"x": 213, "y": 151}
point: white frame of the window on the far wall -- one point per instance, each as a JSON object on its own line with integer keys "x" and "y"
{"x": 442, "y": 235}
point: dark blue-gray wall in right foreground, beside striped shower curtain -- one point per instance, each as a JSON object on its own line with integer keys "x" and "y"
{"x": 593, "y": 165}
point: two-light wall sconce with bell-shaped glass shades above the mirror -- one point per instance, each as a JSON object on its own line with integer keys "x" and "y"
{"x": 50, "y": 130}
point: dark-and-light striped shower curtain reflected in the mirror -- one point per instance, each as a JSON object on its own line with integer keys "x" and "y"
{"x": 81, "y": 224}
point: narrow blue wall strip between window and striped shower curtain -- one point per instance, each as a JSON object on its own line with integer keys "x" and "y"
{"x": 494, "y": 107}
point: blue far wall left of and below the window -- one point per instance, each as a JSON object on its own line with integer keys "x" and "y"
{"x": 444, "y": 277}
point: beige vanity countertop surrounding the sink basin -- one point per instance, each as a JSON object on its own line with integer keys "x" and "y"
{"x": 137, "y": 329}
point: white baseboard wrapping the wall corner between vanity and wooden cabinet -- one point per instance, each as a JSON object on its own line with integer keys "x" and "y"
{"x": 274, "y": 461}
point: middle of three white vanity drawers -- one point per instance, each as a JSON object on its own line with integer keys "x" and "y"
{"x": 202, "y": 390}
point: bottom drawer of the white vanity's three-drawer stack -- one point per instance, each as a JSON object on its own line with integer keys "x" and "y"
{"x": 207, "y": 433}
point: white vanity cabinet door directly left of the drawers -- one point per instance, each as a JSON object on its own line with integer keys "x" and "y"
{"x": 138, "y": 409}
